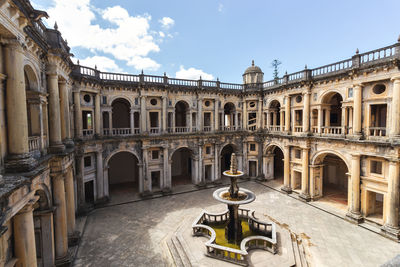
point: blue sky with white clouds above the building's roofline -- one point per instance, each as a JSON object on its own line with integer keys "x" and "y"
{"x": 219, "y": 38}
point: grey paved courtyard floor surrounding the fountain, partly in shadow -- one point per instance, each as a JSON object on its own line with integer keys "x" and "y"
{"x": 133, "y": 234}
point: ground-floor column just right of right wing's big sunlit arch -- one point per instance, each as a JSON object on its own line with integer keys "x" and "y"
{"x": 354, "y": 205}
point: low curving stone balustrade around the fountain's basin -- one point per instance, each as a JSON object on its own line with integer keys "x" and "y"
{"x": 238, "y": 256}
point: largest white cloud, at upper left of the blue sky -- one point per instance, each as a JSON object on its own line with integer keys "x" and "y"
{"x": 130, "y": 39}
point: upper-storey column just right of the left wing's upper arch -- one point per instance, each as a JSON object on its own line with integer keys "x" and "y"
{"x": 54, "y": 113}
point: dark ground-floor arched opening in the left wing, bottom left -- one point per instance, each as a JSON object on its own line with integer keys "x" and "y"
{"x": 43, "y": 224}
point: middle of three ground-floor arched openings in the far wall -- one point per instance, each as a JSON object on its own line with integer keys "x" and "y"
{"x": 182, "y": 167}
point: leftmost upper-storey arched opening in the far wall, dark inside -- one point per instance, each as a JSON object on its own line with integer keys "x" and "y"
{"x": 121, "y": 109}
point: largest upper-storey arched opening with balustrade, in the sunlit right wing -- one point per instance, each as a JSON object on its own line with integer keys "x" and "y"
{"x": 332, "y": 113}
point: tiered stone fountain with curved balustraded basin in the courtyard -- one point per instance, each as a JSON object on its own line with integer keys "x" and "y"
{"x": 235, "y": 231}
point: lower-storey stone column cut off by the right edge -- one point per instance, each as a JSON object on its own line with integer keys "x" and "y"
{"x": 391, "y": 226}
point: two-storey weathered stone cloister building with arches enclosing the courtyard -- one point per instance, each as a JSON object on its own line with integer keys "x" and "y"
{"x": 72, "y": 136}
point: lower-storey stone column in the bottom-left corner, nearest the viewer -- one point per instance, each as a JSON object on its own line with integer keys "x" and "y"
{"x": 24, "y": 237}
